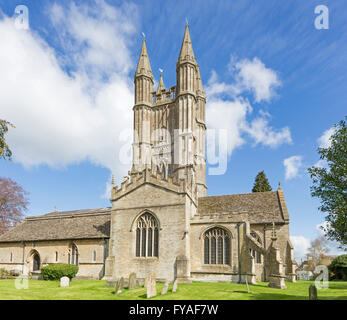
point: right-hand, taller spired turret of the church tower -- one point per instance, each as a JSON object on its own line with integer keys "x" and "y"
{"x": 190, "y": 104}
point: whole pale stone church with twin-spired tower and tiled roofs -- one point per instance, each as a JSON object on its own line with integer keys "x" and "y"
{"x": 161, "y": 222}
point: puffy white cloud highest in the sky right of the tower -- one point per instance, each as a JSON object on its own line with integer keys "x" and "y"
{"x": 255, "y": 77}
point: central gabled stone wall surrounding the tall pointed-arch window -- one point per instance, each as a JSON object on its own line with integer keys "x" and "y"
{"x": 172, "y": 211}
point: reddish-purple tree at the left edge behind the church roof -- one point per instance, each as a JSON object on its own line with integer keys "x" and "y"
{"x": 13, "y": 202}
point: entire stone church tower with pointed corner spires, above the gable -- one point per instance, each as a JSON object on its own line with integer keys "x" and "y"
{"x": 169, "y": 123}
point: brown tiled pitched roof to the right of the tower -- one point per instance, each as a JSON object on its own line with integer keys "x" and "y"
{"x": 261, "y": 207}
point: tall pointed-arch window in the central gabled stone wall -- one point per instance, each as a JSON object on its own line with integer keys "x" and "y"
{"x": 147, "y": 236}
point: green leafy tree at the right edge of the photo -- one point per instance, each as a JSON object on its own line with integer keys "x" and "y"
{"x": 330, "y": 185}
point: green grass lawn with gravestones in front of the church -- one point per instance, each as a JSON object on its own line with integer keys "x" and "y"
{"x": 96, "y": 290}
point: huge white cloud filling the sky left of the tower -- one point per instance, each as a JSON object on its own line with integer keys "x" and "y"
{"x": 62, "y": 119}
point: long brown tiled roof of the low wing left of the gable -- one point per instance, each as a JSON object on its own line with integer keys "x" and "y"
{"x": 79, "y": 224}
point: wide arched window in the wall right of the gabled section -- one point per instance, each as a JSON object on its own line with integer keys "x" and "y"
{"x": 216, "y": 246}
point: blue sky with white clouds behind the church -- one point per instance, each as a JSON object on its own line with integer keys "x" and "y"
{"x": 273, "y": 80}
